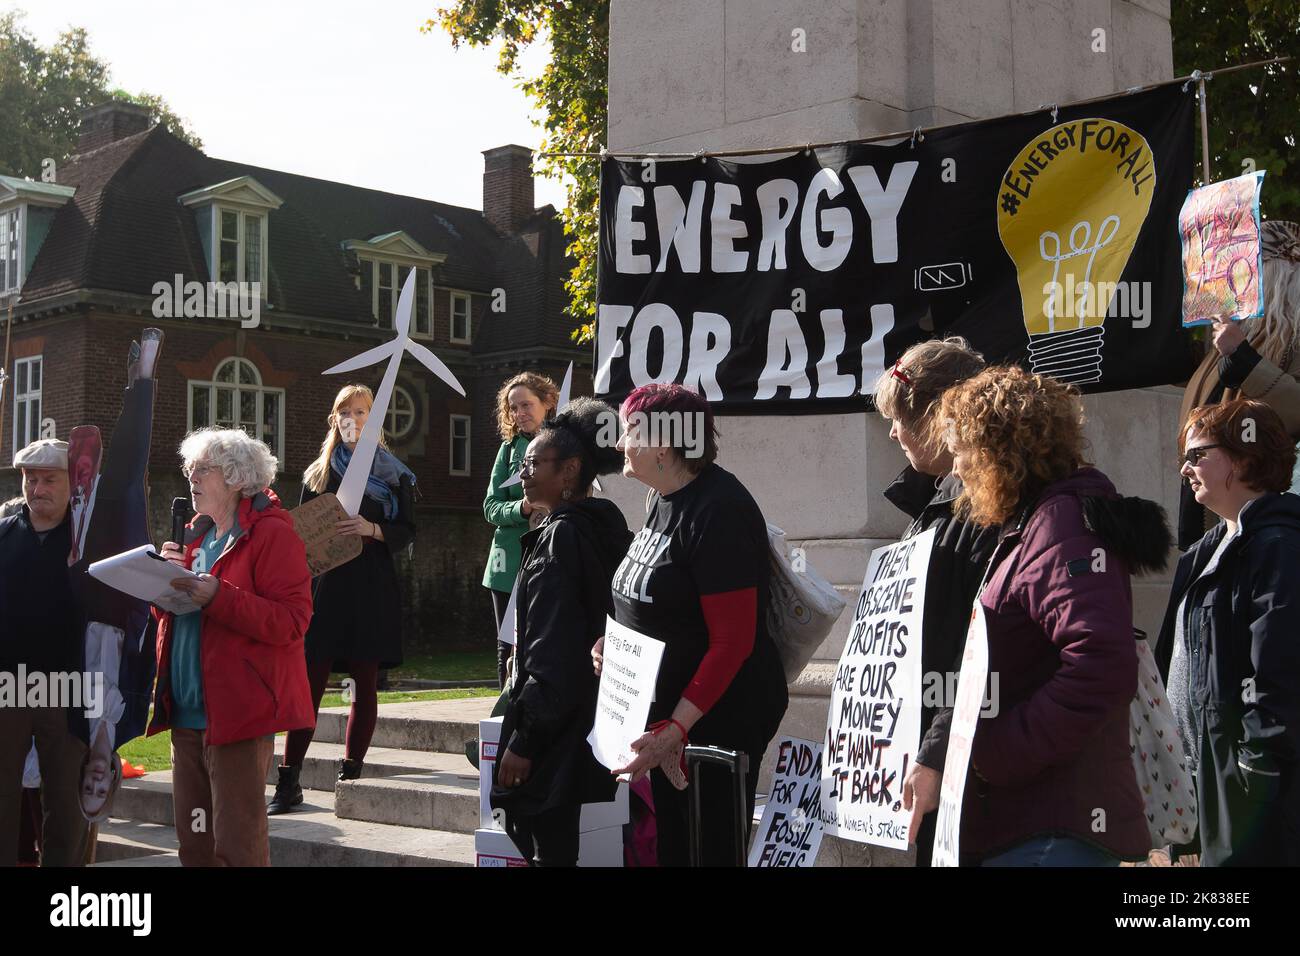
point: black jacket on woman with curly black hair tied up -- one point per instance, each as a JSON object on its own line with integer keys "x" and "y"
{"x": 562, "y": 605}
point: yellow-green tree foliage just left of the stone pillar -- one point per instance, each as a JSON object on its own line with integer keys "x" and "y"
{"x": 571, "y": 93}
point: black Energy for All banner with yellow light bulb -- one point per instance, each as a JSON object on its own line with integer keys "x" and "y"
{"x": 791, "y": 285}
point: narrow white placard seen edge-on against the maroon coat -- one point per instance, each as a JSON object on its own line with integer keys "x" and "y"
{"x": 970, "y": 700}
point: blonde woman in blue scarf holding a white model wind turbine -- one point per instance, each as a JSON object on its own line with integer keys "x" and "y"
{"x": 357, "y": 626}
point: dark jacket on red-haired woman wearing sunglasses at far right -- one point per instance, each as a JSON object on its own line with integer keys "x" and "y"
{"x": 1243, "y": 626}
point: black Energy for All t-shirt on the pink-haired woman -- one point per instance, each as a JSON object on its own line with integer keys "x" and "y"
{"x": 708, "y": 538}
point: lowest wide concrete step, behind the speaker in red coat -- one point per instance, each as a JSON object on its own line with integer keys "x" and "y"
{"x": 310, "y": 837}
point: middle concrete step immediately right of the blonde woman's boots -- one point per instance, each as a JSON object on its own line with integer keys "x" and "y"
{"x": 445, "y": 802}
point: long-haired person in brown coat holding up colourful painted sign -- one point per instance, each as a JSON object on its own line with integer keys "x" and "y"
{"x": 1256, "y": 358}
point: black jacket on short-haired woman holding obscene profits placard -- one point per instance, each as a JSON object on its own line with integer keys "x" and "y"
{"x": 957, "y": 566}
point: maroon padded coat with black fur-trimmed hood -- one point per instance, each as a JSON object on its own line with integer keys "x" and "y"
{"x": 1059, "y": 607}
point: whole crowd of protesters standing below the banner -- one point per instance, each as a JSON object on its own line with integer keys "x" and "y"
{"x": 998, "y": 468}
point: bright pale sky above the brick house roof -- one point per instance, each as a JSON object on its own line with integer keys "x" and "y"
{"x": 348, "y": 92}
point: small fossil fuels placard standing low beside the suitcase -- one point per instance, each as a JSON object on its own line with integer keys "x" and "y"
{"x": 791, "y": 830}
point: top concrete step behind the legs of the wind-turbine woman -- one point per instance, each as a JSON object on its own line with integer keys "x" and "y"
{"x": 432, "y": 726}
